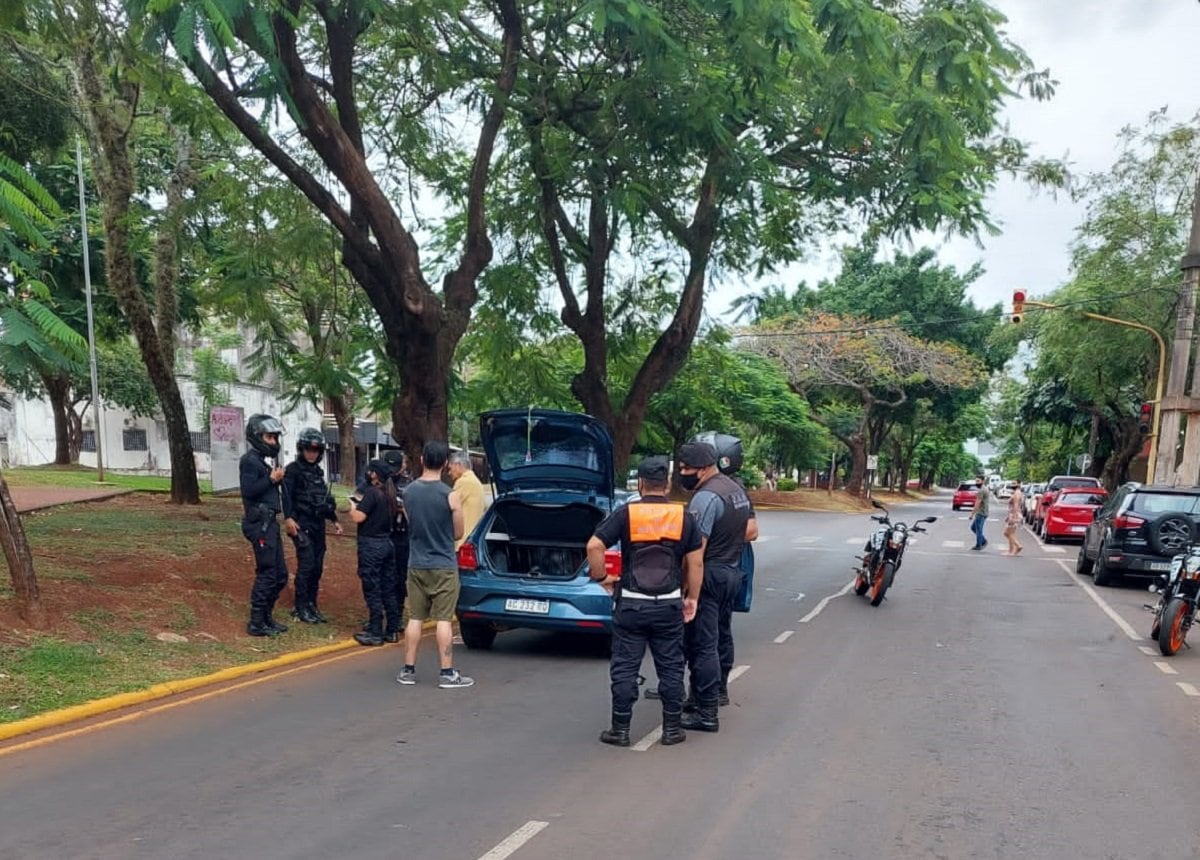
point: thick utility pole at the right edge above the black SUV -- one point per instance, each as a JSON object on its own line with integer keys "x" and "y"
{"x": 1189, "y": 473}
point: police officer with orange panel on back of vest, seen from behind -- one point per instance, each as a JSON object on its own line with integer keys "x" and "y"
{"x": 656, "y": 593}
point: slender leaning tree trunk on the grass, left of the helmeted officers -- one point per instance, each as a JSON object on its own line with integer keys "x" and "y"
{"x": 109, "y": 137}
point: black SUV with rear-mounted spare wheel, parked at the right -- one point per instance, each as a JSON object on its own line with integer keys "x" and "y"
{"x": 1138, "y": 531}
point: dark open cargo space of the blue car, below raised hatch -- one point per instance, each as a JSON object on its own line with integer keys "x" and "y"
{"x": 541, "y": 542}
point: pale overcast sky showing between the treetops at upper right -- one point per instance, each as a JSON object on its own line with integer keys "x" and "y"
{"x": 1115, "y": 63}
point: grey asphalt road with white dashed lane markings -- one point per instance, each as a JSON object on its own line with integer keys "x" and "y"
{"x": 992, "y": 708}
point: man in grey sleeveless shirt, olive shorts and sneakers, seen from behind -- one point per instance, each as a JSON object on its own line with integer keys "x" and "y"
{"x": 435, "y": 524}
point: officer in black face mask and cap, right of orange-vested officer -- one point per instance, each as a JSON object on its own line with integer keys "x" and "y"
{"x": 722, "y": 509}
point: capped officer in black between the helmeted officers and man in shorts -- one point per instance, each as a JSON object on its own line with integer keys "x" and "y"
{"x": 375, "y": 512}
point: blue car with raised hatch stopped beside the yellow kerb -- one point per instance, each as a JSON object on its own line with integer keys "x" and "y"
{"x": 525, "y": 566}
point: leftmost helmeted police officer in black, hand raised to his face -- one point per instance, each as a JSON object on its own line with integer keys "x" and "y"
{"x": 262, "y": 502}
